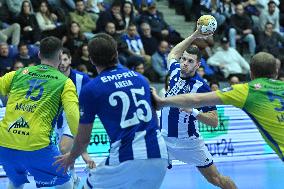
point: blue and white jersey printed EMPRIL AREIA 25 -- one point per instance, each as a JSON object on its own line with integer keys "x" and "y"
{"x": 122, "y": 100}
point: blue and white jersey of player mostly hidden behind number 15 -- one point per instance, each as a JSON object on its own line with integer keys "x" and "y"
{"x": 79, "y": 79}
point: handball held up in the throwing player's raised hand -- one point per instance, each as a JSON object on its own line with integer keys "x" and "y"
{"x": 207, "y": 23}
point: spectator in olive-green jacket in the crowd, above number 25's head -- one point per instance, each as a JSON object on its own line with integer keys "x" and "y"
{"x": 86, "y": 21}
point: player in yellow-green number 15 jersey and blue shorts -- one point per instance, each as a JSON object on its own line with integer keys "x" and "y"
{"x": 36, "y": 94}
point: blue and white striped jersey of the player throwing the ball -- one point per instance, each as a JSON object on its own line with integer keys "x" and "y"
{"x": 176, "y": 123}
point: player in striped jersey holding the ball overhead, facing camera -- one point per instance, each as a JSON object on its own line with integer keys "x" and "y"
{"x": 180, "y": 126}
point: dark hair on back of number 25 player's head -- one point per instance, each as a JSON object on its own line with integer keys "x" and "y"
{"x": 103, "y": 50}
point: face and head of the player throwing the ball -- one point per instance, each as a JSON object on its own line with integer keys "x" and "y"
{"x": 188, "y": 64}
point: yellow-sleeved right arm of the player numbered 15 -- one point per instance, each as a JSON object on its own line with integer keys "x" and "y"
{"x": 71, "y": 106}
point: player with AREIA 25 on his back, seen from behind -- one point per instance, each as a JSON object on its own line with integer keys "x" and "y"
{"x": 122, "y": 100}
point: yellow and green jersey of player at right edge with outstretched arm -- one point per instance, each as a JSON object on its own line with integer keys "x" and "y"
{"x": 263, "y": 100}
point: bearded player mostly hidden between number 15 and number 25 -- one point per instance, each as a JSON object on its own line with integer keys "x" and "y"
{"x": 63, "y": 134}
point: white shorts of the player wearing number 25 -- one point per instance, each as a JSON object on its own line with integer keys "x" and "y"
{"x": 132, "y": 174}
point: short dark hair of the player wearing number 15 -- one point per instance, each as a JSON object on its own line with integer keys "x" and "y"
{"x": 49, "y": 47}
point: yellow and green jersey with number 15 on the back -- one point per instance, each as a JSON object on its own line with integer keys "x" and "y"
{"x": 35, "y": 96}
